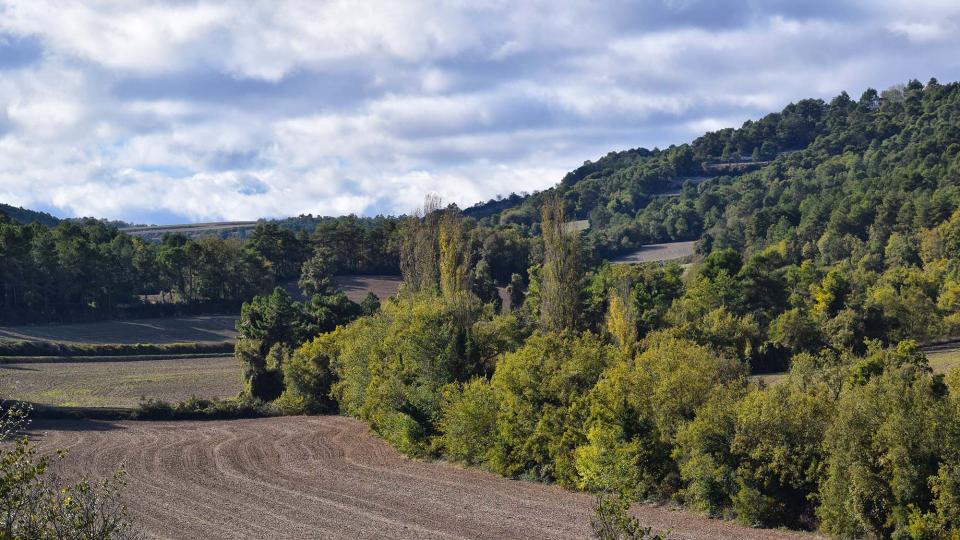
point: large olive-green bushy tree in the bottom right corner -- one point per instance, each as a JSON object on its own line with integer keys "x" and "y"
{"x": 885, "y": 444}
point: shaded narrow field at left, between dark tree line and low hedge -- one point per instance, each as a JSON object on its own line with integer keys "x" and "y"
{"x": 203, "y": 328}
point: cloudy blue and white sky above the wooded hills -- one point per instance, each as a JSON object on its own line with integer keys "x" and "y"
{"x": 189, "y": 111}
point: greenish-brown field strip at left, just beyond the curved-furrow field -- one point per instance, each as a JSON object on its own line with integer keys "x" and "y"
{"x": 120, "y": 384}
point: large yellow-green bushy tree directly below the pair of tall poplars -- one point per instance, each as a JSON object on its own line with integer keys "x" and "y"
{"x": 391, "y": 367}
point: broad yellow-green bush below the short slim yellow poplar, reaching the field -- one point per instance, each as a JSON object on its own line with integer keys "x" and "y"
{"x": 636, "y": 411}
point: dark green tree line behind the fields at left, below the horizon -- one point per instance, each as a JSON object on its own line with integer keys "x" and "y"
{"x": 87, "y": 269}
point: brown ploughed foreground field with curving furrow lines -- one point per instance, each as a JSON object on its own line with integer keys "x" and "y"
{"x": 324, "y": 477}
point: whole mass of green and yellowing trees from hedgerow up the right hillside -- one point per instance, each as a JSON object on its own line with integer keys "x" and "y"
{"x": 832, "y": 251}
